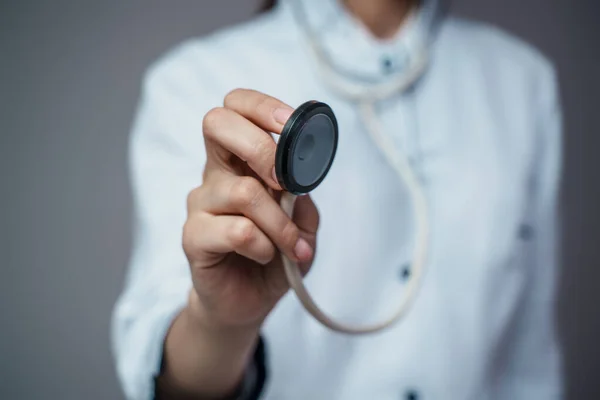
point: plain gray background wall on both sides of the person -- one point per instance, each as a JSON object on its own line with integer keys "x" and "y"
{"x": 69, "y": 81}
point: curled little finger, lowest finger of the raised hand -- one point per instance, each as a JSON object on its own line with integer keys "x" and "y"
{"x": 205, "y": 235}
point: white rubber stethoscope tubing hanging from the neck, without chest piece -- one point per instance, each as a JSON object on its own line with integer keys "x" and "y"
{"x": 365, "y": 97}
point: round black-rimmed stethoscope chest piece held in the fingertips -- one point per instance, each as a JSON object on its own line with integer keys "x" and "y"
{"x": 306, "y": 147}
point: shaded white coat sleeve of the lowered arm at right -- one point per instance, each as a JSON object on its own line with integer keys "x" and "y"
{"x": 534, "y": 368}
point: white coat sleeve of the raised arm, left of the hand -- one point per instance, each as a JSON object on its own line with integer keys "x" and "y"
{"x": 166, "y": 162}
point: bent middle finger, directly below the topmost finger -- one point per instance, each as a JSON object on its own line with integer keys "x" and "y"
{"x": 227, "y": 132}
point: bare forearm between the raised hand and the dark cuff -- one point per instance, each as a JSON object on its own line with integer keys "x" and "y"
{"x": 203, "y": 359}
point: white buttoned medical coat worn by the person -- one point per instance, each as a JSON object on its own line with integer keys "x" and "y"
{"x": 482, "y": 131}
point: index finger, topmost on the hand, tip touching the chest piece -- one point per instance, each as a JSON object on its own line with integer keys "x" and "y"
{"x": 264, "y": 111}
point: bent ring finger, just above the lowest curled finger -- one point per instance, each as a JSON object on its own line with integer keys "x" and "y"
{"x": 227, "y": 194}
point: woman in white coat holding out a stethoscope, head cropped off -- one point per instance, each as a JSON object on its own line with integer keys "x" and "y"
{"x": 480, "y": 125}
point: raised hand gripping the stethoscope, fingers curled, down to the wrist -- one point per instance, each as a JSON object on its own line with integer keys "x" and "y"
{"x": 235, "y": 226}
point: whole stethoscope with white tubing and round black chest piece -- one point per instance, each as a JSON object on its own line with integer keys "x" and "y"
{"x": 306, "y": 150}
